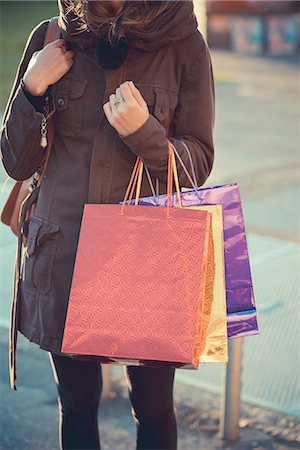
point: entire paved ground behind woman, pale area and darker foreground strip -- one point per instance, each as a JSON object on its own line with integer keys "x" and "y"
{"x": 257, "y": 136}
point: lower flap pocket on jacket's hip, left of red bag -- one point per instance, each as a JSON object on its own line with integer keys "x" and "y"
{"x": 41, "y": 246}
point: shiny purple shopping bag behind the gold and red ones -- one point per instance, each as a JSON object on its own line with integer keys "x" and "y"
{"x": 241, "y": 309}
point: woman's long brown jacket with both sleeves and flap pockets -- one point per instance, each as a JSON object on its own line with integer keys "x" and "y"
{"x": 90, "y": 162}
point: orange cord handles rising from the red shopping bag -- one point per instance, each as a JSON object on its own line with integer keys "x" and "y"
{"x": 136, "y": 181}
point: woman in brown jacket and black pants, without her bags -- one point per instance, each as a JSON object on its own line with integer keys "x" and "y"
{"x": 122, "y": 79}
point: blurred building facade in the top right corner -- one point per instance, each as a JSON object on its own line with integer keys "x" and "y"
{"x": 255, "y": 26}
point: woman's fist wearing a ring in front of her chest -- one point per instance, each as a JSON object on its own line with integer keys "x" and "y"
{"x": 130, "y": 113}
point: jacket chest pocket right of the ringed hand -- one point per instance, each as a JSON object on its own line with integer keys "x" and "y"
{"x": 161, "y": 101}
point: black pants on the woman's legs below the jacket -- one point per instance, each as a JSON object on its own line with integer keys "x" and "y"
{"x": 79, "y": 385}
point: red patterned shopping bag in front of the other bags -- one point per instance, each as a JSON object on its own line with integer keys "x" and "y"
{"x": 138, "y": 288}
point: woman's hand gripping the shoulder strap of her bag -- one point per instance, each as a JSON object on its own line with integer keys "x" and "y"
{"x": 47, "y": 66}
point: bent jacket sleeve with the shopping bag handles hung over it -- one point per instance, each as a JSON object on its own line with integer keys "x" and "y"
{"x": 193, "y": 122}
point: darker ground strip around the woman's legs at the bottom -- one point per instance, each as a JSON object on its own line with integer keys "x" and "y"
{"x": 29, "y": 420}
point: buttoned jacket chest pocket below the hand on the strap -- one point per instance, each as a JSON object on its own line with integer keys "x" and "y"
{"x": 69, "y": 102}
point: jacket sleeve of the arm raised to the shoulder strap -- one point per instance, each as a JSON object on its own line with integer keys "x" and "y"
{"x": 20, "y": 132}
